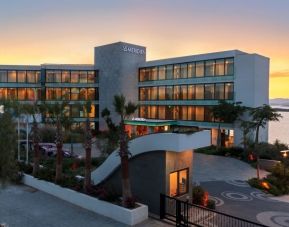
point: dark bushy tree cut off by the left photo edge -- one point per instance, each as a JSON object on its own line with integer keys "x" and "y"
{"x": 8, "y": 166}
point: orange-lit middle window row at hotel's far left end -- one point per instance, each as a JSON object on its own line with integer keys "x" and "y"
{"x": 28, "y": 94}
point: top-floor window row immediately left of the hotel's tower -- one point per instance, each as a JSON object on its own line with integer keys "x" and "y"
{"x": 71, "y": 76}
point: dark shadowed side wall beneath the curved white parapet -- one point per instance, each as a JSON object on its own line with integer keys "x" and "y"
{"x": 147, "y": 177}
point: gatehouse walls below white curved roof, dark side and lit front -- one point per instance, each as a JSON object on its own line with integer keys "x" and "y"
{"x": 149, "y": 175}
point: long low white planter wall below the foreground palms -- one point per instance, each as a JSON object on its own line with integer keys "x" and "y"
{"x": 118, "y": 213}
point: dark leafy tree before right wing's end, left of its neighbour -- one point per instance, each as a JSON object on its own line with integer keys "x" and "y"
{"x": 227, "y": 113}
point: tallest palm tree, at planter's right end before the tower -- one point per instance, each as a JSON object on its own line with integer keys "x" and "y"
{"x": 124, "y": 110}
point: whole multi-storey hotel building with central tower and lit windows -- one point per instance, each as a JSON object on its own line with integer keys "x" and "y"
{"x": 175, "y": 93}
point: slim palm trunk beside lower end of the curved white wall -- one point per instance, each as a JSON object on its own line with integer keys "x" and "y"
{"x": 87, "y": 146}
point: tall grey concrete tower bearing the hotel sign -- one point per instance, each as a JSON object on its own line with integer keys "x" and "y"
{"x": 118, "y": 74}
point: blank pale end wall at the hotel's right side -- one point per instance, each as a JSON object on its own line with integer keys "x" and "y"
{"x": 251, "y": 86}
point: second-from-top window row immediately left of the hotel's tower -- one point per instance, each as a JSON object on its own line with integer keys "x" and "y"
{"x": 72, "y": 94}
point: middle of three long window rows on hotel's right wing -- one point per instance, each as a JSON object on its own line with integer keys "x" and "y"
{"x": 218, "y": 91}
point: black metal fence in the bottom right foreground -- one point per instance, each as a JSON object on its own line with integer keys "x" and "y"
{"x": 183, "y": 213}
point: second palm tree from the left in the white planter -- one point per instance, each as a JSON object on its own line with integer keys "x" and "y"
{"x": 57, "y": 114}
